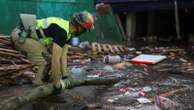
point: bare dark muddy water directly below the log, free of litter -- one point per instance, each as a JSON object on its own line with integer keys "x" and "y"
{"x": 75, "y": 99}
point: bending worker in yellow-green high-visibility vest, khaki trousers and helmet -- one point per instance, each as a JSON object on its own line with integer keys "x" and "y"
{"x": 50, "y": 38}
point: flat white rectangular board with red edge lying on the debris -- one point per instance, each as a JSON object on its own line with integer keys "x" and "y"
{"x": 148, "y": 59}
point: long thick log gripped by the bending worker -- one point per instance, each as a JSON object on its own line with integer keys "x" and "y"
{"x": 17, "y": 102}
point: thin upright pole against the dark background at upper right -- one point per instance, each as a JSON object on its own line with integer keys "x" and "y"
{"x": 177, "y": 24}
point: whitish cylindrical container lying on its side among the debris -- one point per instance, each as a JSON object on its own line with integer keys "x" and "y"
{"x": 112, "y": 59}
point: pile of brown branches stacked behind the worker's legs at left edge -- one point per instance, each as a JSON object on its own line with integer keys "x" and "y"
{"x": 13, "y": 64}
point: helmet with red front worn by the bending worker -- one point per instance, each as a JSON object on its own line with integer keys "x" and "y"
{"x": 84, "y": 19}
